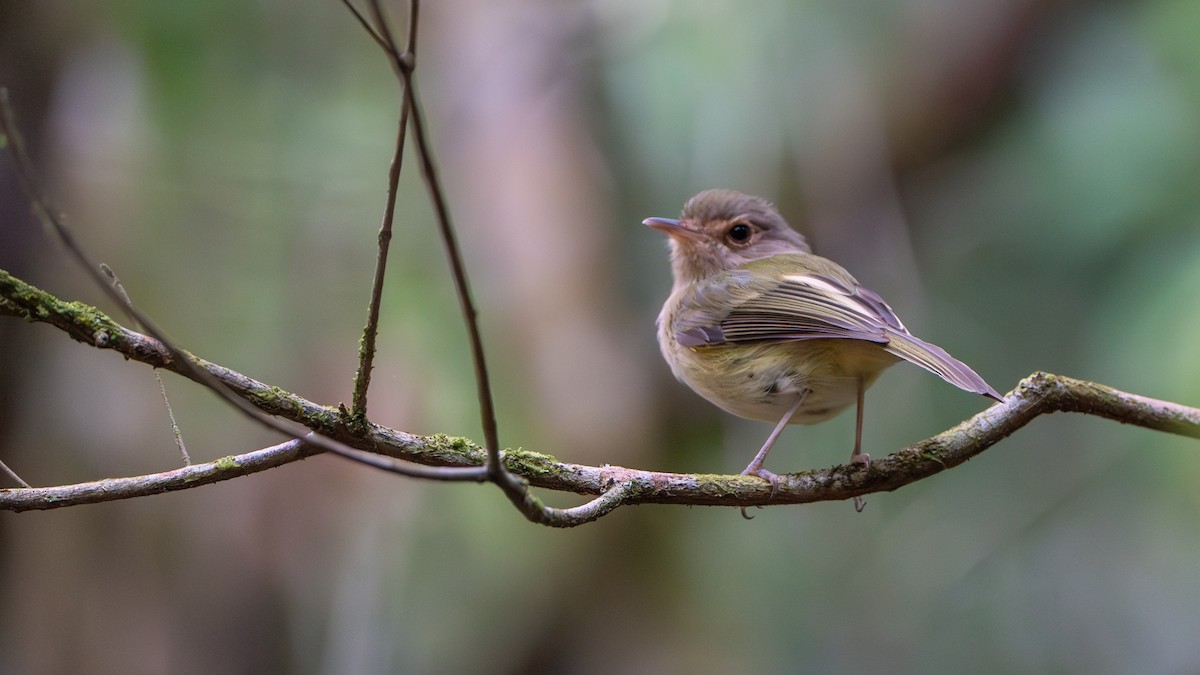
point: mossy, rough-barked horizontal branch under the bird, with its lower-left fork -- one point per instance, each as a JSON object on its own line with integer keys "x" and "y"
{"x": 1039, "y": 395}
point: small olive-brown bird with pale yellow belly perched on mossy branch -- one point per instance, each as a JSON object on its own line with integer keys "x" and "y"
{"x": 767, "y": 331}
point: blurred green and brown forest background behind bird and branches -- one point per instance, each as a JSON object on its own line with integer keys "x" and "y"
{"x": 1019, "y": 178}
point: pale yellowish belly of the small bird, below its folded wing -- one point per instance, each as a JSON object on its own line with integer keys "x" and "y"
{"x": 761, "y": 381}
